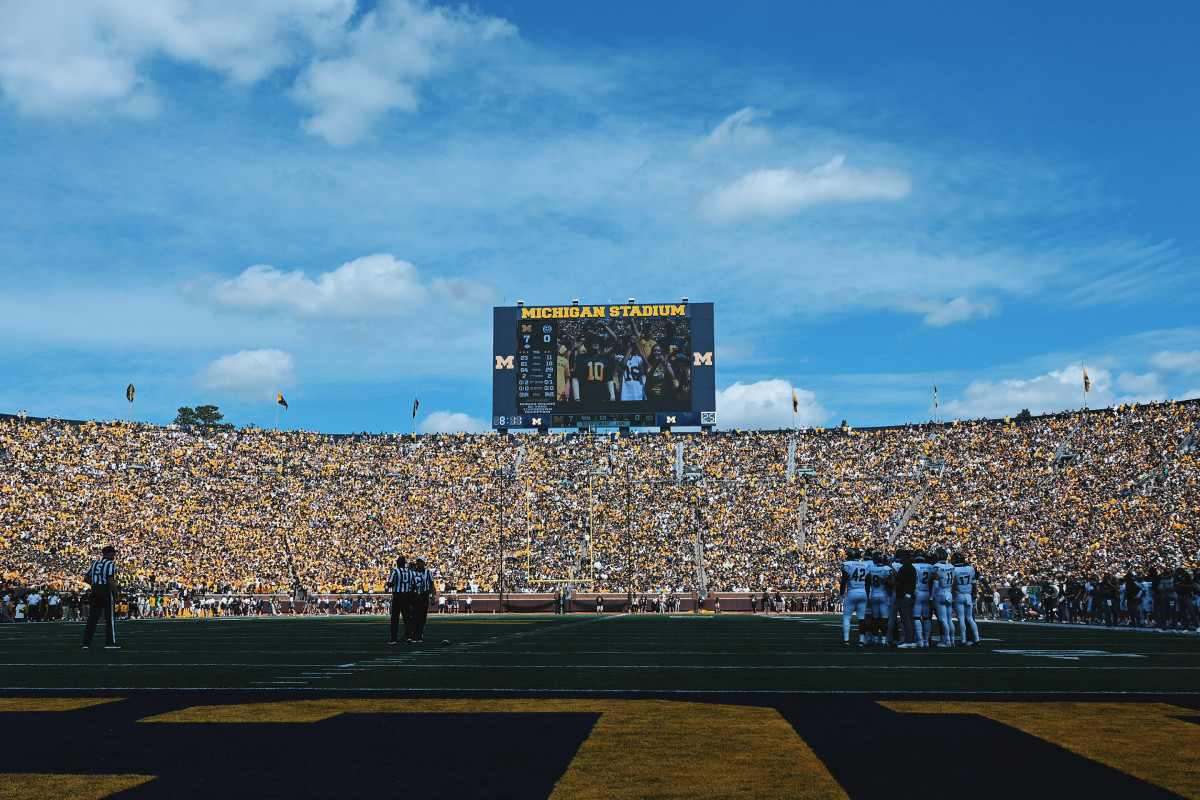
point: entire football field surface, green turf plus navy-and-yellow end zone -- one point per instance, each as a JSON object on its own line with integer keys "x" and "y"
{"x": 593, "y": 707}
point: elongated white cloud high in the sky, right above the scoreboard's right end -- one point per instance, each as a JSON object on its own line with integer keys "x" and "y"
{"x": 773, "y": 194}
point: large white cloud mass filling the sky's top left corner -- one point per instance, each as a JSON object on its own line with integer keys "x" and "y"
{"x": 88, "y": 59}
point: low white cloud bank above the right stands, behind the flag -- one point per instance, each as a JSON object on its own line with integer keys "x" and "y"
{"x": 1055, "y": 392}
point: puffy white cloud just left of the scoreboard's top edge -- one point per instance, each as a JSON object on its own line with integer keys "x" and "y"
{"x": 369, "y": 287}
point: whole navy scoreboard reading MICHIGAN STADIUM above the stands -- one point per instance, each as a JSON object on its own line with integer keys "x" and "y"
{"x": 604, "y": 366}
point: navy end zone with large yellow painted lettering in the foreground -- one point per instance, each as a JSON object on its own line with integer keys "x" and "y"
{"x": 194, "y": 744}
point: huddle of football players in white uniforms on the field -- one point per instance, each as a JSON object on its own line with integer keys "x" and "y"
{"x": 901, "y": 599}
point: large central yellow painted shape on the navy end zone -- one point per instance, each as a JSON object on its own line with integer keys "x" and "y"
{"x": 615, "y": 761}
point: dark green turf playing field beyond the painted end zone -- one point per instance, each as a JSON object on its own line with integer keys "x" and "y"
{"x": 615, "y": 653}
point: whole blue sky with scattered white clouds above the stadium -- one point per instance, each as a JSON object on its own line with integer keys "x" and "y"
{"x": 224, "y": 201}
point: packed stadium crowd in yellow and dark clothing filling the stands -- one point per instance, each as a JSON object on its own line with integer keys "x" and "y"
{"x": 1061, "y": 498}
